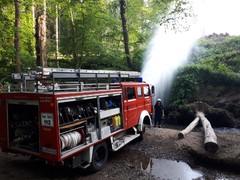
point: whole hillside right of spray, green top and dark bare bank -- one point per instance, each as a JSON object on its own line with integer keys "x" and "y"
{"x": 212, "y": 76}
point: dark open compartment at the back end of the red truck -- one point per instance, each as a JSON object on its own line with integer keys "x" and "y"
{"x": 23, "y": 122}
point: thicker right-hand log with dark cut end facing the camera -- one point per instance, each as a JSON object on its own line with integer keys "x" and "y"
{"x": 210, "y": 141}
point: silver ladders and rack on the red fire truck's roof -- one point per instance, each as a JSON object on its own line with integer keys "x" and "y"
{"x": 47, "y": 79}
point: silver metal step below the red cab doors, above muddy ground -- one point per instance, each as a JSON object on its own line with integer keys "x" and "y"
{"x": 119, "y": 143}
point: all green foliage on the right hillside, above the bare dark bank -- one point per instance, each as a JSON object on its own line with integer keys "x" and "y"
{"x": 214, "y": 62}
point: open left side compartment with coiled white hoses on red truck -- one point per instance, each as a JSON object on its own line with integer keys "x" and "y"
{"x": 75, "y": 117}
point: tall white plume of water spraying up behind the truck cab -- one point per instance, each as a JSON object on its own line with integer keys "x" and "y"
{"x": 166, "y": 52}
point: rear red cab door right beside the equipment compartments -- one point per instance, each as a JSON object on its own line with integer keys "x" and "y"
{"x": 130, "y": 107}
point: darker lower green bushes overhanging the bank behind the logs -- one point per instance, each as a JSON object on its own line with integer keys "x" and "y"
{"x": 193, "y": 80}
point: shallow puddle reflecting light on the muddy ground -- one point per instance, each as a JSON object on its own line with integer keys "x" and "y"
{"x": 168, "y": 169}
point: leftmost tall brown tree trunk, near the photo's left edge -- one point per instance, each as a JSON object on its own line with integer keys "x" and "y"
{"x": 17, "y": 36}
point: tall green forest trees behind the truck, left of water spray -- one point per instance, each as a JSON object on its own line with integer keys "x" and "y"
{"x": 90, "y": 34}
